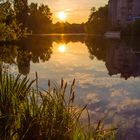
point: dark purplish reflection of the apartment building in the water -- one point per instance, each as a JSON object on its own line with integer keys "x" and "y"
{"x": 123, "y": 59}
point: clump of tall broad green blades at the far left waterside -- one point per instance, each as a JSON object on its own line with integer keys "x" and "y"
{"x": 12, "y": 92}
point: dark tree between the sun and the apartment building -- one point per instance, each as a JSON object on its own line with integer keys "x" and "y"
{"x": 98, "y": 21}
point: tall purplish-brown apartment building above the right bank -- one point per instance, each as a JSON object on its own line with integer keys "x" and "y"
{"x": 122, "y": 12}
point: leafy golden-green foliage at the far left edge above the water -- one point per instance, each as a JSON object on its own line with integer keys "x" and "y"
{"x": 9, "y": 28}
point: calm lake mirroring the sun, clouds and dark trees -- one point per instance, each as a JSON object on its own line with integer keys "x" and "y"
{"x": 107, "y": 73}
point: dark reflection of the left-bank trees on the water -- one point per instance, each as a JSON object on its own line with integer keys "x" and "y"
{"x": 29, "y": 50}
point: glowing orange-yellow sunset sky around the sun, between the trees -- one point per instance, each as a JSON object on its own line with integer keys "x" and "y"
{"x": 77, "y": 11}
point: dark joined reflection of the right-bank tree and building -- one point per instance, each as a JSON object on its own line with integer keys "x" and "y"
{"x": 120, "y": 57}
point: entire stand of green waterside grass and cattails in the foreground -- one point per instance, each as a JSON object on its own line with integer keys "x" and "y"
{"x": 26, "y": 113}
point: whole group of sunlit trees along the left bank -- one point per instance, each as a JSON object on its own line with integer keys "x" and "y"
{"x": 15, "y": 20}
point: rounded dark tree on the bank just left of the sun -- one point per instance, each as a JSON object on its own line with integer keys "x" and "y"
{"x": 40, "y": 18}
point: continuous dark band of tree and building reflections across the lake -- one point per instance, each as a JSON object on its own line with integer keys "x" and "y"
{"x": 120, "y": 56}
